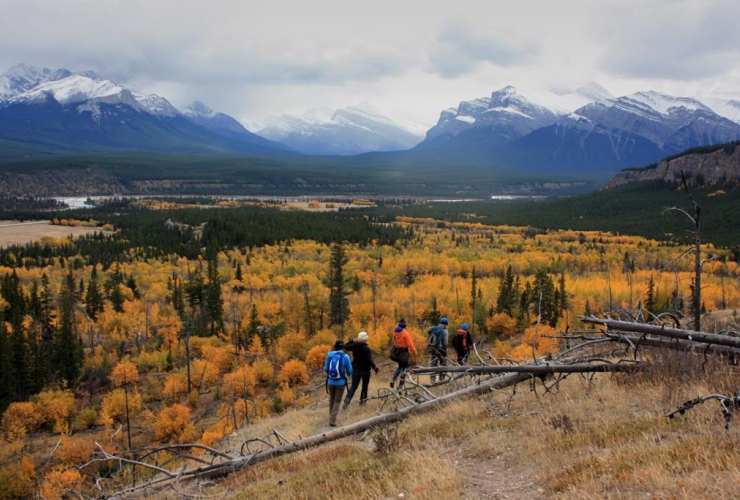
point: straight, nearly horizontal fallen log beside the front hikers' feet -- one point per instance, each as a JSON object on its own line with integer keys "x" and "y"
{"x": 538, "y": 370}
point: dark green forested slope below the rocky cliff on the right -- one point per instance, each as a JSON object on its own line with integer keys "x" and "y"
{"x": 635, "y": 209}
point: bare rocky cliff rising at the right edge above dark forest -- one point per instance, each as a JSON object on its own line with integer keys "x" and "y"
{"x": 719, "y": 166}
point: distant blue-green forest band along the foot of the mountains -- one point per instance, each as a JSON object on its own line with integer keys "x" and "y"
{"x": 230, "y": 174}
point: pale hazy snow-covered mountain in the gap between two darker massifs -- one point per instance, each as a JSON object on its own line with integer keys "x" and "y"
{"x": 345, "y": 131}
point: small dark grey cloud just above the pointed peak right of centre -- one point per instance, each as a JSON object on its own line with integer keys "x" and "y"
{"x": 458, "y": 50}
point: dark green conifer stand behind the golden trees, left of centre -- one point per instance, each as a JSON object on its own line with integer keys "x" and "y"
{"x": 143, "y": 233}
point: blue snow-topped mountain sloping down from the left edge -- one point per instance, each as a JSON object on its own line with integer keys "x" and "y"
{"x": 56, "y": 110}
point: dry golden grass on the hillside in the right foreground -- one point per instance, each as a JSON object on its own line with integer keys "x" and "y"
{"x": 604, "y": 438}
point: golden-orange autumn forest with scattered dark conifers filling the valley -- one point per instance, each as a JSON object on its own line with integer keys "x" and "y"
{"x": 181, "y": 324}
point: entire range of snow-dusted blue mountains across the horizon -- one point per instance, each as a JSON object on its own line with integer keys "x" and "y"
{"x": 587, "y": 132}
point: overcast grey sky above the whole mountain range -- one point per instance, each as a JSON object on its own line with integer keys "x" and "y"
{"x": 253, "y": 59}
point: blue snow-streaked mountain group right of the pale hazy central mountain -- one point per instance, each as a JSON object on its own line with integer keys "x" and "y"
{"x": 587, "y": 131}
